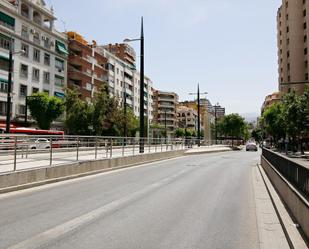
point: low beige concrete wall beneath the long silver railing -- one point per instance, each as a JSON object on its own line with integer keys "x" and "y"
{"x": 34, "y": 177}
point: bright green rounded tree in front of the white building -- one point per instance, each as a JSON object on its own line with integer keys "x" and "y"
{"x": 45, "y": 109}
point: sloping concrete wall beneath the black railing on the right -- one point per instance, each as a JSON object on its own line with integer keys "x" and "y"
{"x": 297, "y": 205}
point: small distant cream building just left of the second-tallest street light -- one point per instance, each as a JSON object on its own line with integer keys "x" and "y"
{"x": 187, "y": 118}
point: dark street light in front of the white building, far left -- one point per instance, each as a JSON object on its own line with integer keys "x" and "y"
{"x": 9, "y": 98}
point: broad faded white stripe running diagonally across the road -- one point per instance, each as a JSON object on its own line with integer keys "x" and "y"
{"x": 60, "y": 230}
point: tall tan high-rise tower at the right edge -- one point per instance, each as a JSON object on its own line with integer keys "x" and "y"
{"x": 293, "y": 41}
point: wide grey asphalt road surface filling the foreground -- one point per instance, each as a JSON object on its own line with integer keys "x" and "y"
{"x": 193, "y": 202}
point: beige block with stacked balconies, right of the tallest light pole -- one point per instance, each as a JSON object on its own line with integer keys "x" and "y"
{"x": 165, "y": 110}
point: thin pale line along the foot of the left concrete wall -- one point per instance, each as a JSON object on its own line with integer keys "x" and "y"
{"x": 80, "y": 179}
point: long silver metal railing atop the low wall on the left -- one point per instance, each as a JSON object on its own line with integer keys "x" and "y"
{"x": 21, "y": 152}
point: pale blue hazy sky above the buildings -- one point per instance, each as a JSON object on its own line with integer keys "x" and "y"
{"x": 228, "y": 46}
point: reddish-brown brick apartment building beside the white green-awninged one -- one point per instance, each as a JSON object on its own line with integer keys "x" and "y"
{"x": 86, "y": 66}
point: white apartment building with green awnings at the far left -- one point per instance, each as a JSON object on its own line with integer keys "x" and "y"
{"x": 29, "y": 26}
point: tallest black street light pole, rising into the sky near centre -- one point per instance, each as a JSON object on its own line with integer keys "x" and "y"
{"x": 141, "y": 116}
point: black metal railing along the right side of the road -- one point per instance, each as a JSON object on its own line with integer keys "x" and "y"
{"x": 295, "y": 173}
